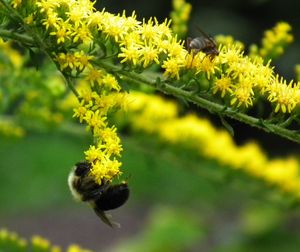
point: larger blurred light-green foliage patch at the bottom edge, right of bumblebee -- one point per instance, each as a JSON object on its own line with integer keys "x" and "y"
{"x": 167, "y": 230}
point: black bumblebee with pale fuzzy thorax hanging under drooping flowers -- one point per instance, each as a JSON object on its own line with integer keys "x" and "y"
{"x": 102, "y": 197}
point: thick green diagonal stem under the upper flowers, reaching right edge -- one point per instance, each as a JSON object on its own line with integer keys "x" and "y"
{"x": 206, "y": 104}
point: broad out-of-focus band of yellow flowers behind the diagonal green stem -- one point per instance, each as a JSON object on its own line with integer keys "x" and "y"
{"x": 200, "y": 135}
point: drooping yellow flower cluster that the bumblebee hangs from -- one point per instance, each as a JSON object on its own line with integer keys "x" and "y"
{"x": 93, "y": 110}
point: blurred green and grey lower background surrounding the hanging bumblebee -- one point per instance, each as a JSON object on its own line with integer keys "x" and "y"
{"x": 178, "y": 202}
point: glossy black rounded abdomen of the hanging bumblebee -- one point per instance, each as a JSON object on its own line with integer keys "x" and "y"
{"x": 113, "y": 197}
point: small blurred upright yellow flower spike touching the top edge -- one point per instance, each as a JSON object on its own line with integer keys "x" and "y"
{"x": 180, "y": 17}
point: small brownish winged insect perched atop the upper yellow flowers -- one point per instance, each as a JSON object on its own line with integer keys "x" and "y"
{"x": 204, "y": 43}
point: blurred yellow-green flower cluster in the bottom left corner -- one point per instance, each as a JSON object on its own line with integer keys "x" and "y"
{"x": 10, "y": 241}
